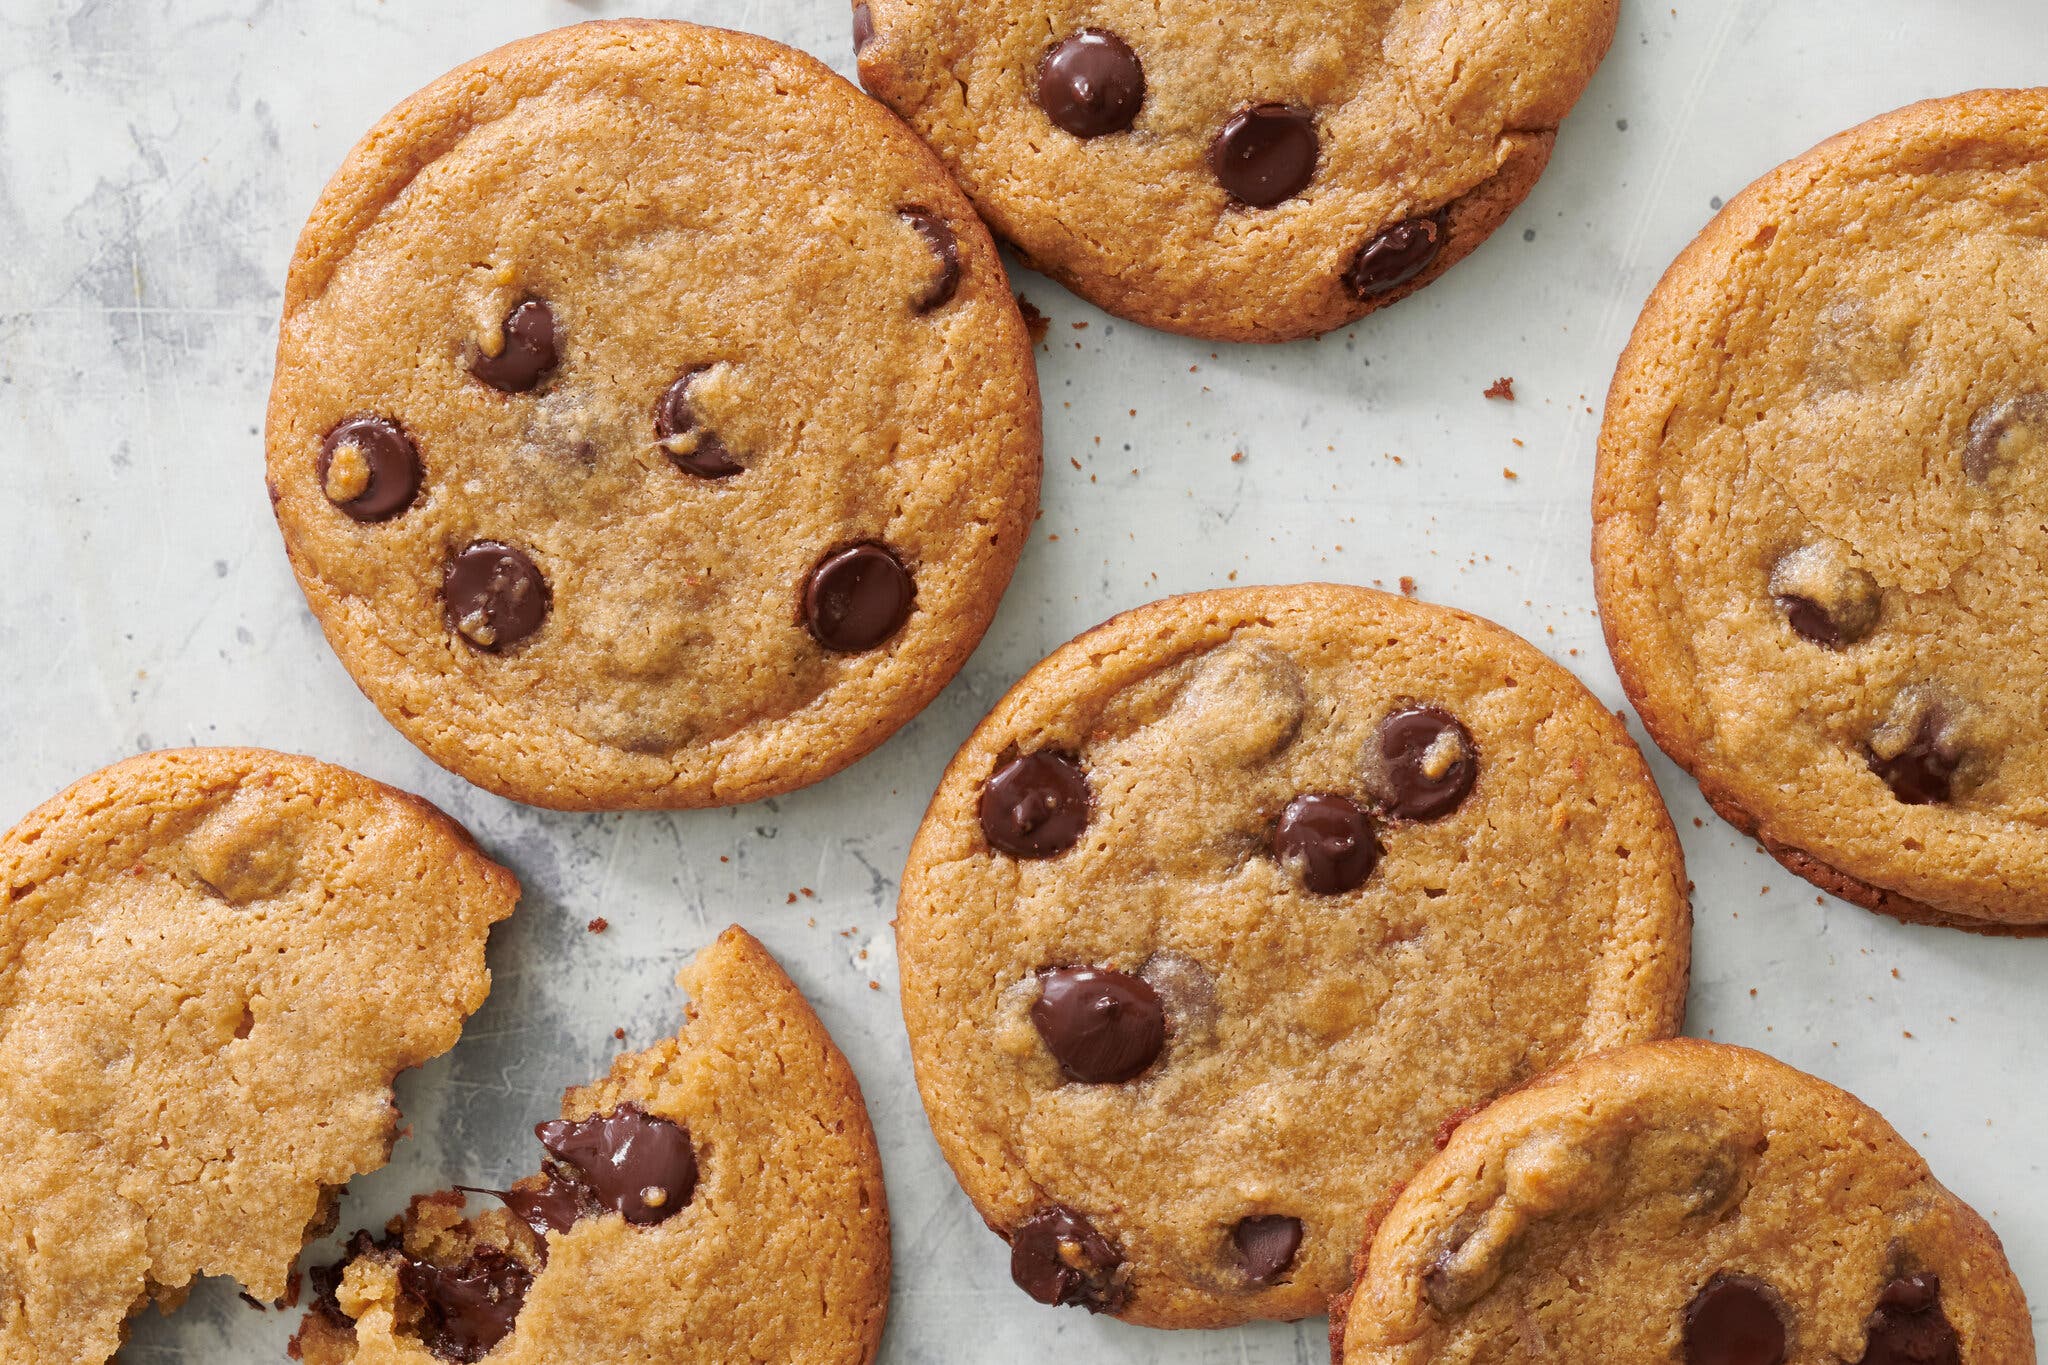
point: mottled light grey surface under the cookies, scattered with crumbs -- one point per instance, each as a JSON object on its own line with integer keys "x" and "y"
{"x": 157, "y": 161}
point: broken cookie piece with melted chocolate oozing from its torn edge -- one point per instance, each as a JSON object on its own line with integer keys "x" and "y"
{"x": 718, "y": 1198}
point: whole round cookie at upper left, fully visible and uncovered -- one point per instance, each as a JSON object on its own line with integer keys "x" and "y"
{"x": 654, "y": 425}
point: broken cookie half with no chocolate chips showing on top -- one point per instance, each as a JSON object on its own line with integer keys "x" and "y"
{"x": 212, "y": 967}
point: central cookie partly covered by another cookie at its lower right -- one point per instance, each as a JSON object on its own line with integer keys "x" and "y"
{"x": 1234, "y": 901}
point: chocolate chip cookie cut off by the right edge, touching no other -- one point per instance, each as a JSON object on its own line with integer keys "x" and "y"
{"x": 1822, "y": 513}
